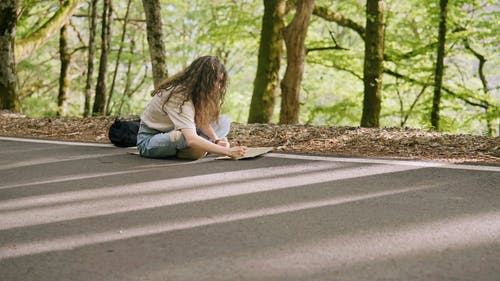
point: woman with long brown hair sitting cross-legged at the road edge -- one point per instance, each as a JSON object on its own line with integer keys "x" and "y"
{"x": 183, "y": 120}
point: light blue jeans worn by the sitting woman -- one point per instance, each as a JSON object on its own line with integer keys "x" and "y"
{"x": 156, "y": 144}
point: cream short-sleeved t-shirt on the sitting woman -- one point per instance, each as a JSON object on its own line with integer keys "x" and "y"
{"x": 170, "y": 117}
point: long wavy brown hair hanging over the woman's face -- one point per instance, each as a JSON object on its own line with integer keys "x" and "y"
{"x": 204, "y": 83}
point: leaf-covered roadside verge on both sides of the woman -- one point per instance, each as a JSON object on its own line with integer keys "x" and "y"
{"x": 394, "y": 143}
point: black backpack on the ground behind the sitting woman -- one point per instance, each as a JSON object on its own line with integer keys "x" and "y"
{"x": 123, "y": 133}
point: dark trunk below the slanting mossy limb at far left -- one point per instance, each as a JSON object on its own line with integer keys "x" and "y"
{"x": 65, "y": 58}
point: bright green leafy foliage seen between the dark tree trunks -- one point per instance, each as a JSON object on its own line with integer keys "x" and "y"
{"x": 332, "y": 86}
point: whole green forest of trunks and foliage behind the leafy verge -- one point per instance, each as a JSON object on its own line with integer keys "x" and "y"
{"x": 429, "y": 64}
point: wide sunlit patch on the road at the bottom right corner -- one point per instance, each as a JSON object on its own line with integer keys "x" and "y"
{"x": 302, "y": 259}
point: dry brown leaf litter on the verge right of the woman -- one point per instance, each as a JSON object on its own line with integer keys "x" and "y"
{"x": 384, "y": 143}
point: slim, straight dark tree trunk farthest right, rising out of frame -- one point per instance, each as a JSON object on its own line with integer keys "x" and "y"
{"x": 438, "y": 77}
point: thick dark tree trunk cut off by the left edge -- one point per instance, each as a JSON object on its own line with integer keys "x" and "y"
{"x": 8, "y": 85}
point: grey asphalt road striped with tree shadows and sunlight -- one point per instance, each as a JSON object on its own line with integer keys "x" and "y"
{"x": 97, "y": 212}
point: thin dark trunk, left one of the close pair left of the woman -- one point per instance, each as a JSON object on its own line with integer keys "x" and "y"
{"x": 90, "y": 58}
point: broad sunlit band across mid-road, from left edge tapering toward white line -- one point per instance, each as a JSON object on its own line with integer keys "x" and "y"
{"x": 126, "y": 198}
